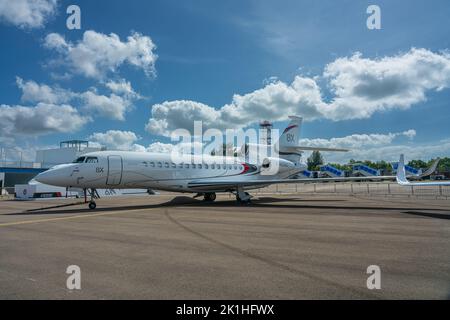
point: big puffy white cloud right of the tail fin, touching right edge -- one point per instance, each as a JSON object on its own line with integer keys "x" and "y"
{"x": 364, "y": 86}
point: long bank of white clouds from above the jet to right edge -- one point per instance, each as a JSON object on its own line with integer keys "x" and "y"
{"x": 360, "y": 87}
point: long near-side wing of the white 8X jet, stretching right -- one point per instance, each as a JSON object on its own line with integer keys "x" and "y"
{"x": 265, "y": 182}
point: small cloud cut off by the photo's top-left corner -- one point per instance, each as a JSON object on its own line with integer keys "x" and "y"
{"x": 27, "y": 14}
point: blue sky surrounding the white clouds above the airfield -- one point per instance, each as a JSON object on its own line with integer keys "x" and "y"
{"x": 208, "y": 51}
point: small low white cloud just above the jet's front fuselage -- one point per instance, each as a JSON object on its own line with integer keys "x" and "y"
{"x": 115, "y": 139}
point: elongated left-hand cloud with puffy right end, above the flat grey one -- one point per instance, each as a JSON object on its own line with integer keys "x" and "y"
{"x": 113, "y": 106}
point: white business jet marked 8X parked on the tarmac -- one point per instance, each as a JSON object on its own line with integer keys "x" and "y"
{"x": 204, "y": 175}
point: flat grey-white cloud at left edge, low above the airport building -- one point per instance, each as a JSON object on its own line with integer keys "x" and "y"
{"x": 42, "y": 119}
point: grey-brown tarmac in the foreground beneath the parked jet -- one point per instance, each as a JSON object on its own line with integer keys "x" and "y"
{"x": 174, "y": 247}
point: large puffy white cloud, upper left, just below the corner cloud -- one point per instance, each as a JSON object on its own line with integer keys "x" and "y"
{"x": 97, "y": 54}
